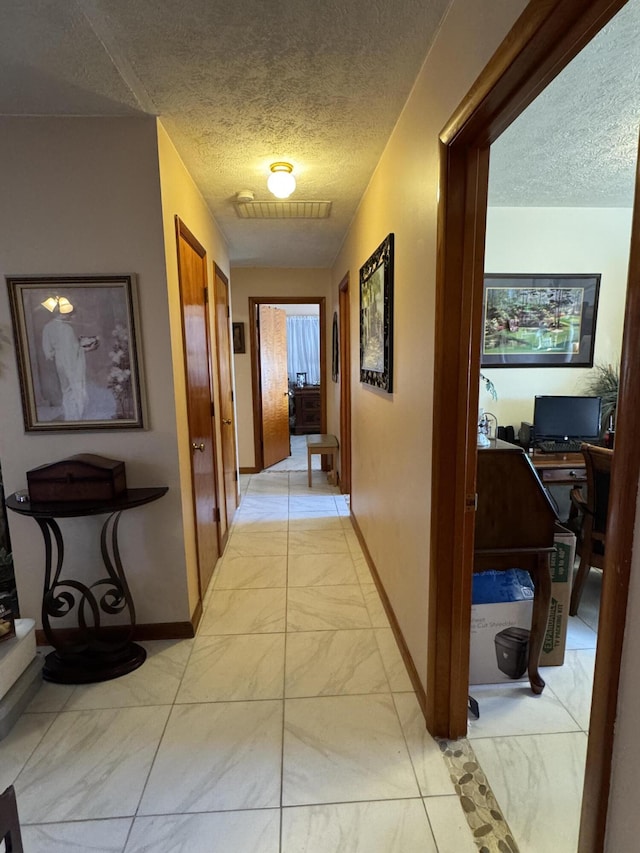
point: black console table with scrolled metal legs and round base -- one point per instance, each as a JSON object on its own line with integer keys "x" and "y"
{"x": 90, "y": 652}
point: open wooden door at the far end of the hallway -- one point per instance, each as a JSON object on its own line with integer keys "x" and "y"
{"x": 274, "y": 385}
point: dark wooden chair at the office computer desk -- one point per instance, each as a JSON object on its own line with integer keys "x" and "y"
{"x": 589, "y": 517}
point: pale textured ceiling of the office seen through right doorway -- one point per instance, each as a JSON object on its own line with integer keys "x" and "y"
{"x": 576, "y": 145}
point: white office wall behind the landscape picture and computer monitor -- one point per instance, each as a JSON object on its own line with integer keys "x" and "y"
{"x": 558, "y": 240}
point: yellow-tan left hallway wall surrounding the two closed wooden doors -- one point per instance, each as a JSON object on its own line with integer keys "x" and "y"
{"x": 181, "y": 197}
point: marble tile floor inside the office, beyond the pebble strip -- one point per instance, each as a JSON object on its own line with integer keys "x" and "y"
{"x": 532, "y": 749}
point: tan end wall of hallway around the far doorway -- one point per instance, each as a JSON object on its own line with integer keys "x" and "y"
{"x": 247, "y": 282}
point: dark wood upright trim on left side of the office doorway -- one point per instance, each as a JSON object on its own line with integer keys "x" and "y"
{"x": 460, "y": 265}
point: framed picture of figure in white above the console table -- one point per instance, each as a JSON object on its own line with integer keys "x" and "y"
{"x": 77, "y": 352}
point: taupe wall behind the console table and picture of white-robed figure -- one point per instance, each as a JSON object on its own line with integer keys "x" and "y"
{"x": 81, "y": 196}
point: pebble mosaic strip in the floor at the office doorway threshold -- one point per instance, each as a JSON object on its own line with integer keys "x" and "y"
{"x": 490, "y": 830}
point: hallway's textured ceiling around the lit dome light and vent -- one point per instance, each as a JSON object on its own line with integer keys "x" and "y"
{"x": 237, "y": 85}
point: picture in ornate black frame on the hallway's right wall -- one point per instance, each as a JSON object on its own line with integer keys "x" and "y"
{"x": 376, "y": 317}
